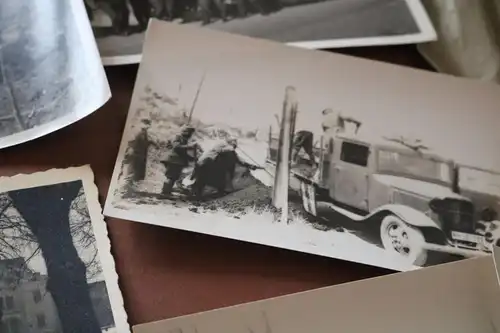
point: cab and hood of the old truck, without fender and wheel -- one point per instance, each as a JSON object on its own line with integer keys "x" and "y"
{"x": 365, "y": 174}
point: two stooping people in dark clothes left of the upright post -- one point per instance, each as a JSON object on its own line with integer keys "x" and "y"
{"x": 214, "y": 167}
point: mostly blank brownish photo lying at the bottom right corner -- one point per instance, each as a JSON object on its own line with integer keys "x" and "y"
{"x": 459, "y": 297}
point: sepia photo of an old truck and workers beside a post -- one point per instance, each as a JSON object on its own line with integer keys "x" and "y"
{"x": 309, "y": 151}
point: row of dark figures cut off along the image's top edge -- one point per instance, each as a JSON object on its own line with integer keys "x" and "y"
{"x": 143, "y": 10}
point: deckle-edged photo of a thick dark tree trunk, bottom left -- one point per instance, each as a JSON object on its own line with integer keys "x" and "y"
{"x": 56, "y": 270}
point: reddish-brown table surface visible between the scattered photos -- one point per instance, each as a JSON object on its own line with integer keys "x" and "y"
{"x": 166, "y": 273}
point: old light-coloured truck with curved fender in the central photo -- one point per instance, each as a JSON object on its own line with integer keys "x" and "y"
{"x": 411, "y": 196}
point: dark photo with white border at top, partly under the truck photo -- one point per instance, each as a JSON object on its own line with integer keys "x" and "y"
{"x": 119, "y": 25}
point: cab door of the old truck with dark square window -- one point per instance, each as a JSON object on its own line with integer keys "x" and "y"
{"x": 350, "y": 175}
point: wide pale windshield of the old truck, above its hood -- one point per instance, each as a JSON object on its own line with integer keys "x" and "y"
{"x": 413, "y": 165}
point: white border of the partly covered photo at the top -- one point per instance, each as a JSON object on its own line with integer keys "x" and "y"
{"x": 427, "y": 34}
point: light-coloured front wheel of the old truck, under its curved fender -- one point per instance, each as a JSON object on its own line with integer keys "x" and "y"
{"x": 403, "y": 239}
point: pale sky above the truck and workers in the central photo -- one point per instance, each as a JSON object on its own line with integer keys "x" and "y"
{"x": 246, "y": 80}
